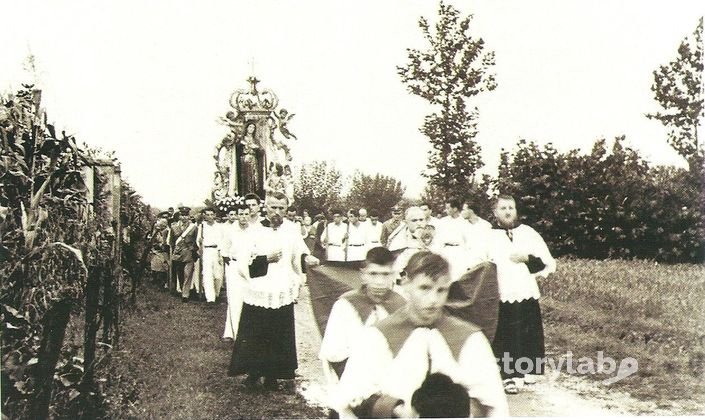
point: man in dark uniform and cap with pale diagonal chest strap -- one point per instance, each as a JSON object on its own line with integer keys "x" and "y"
{"x": 182, "y": 240}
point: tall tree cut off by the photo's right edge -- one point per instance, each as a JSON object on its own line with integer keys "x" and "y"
{"x": 678, "y": 88}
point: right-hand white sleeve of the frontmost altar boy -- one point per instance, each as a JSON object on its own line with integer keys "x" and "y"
{"x": 480, "y": 375}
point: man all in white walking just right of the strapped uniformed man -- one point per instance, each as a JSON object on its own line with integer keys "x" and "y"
{"x": 209, "y": 240}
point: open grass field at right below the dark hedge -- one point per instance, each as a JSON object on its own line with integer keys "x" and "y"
{"x": 653, "y": 313}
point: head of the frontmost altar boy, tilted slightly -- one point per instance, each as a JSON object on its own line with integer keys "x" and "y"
{"x": 427, "y": 283}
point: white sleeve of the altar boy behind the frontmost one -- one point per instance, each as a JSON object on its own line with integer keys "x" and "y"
{"x": 342, "y": 325}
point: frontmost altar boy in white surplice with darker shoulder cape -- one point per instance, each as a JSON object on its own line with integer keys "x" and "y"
{"x": 393, "y": 358}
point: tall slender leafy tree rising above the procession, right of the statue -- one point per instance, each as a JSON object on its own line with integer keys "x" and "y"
{"x": 453, "y": 68}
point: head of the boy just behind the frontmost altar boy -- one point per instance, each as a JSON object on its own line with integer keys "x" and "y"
{"x": 378, "y": 273}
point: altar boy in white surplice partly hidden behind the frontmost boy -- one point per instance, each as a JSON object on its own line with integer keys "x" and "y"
{"x": 359, "y": 308}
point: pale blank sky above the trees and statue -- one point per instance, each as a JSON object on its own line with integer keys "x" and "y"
{"x": 149, "y": 80}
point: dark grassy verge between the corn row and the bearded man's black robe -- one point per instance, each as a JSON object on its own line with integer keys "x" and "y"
{"x": 172, "y": 364}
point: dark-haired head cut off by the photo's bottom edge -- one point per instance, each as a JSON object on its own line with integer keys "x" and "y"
{"x": 440, "y": 397}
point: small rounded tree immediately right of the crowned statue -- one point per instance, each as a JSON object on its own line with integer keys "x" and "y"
{"x": 318, "y": 186}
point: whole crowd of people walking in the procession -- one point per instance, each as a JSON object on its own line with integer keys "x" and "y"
{"x": 389, "y": 349}
